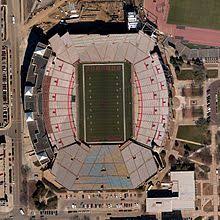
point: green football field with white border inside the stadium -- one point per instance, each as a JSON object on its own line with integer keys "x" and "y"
{"x": 105, "y": 110}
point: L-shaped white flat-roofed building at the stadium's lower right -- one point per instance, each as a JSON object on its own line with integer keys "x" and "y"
{"x": 183, "y": 185}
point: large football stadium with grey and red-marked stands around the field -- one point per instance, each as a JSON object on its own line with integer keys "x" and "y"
{"x": 95, "y": 107}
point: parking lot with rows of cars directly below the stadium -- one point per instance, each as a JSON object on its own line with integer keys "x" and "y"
{"x": 100, "y": 202}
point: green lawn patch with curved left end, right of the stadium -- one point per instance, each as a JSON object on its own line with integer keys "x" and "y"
{"x": 192, "y": 133}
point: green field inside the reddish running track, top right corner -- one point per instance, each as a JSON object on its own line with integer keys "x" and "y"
{"x": 195, "y": 13}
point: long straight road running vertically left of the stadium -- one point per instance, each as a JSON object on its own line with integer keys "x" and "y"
{"x": 15, "y": 128}
